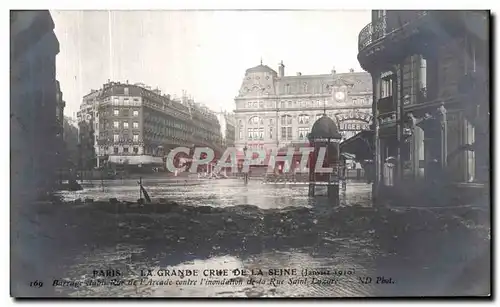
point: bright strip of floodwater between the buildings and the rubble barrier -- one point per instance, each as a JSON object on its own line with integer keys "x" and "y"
{"x": 220, "y": 193}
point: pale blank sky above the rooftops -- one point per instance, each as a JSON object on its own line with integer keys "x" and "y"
{"x": 205, "y": 53}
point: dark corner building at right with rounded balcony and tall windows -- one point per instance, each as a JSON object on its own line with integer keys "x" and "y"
{"x": 430, "y": 72}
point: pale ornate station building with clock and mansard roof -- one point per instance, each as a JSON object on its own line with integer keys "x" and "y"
{"x": 275, "y": 110}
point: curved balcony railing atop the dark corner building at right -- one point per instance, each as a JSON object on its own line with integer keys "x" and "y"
{"x": 379, "y": 28}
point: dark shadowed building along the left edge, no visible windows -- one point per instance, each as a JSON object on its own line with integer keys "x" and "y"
{"x": 33, "y": 104}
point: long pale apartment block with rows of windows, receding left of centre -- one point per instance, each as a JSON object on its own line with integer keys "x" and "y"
{"x": 136, "y": 125}
